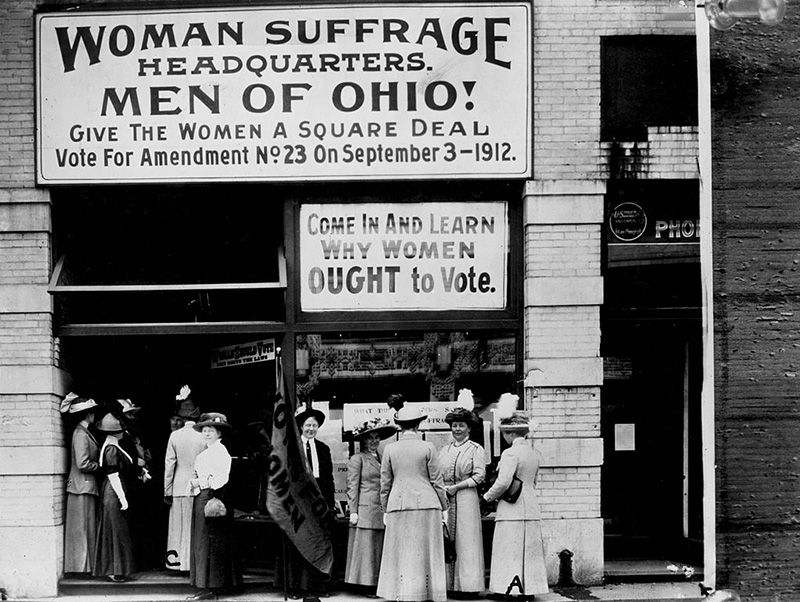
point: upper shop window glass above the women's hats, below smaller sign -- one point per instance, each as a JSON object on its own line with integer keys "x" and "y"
{"x": 344, "y": 368}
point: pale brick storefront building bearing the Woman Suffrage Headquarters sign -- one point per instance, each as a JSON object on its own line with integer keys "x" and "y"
{"x": 411, "y": 198}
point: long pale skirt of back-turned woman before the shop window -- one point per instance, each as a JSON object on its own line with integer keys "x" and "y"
{"x": 412, "y": 563}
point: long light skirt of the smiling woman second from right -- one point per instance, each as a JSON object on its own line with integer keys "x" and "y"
{"x": 467, "y": 573}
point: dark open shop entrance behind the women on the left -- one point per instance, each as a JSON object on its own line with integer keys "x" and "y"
{"x": 150, "y": 370}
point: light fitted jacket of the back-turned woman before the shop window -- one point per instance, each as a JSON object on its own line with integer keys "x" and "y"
{"x": 410, "y": 478}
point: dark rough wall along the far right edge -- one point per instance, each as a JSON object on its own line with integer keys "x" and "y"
{"x": 756, "y": 159}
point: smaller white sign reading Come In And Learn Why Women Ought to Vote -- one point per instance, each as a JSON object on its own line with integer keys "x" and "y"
{"x": 421, "y": 256}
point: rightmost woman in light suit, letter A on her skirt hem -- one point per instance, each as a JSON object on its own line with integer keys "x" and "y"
{"x": 518, "y": 566}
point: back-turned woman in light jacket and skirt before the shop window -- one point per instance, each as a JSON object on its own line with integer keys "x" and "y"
{"x": 413, "y": 499}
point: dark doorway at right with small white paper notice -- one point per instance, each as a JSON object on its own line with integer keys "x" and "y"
{"x": 651, "y": 431}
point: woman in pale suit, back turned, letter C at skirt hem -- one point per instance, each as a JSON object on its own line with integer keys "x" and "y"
{"x": 183, "y": 447}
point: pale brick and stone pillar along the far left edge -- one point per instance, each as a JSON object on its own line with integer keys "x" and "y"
{"x": 32, "y": 456}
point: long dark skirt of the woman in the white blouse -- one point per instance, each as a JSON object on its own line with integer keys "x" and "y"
{"x": 213, "y": 561}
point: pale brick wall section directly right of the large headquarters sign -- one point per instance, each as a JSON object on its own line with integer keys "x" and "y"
{"x": 567, "y": 75}
